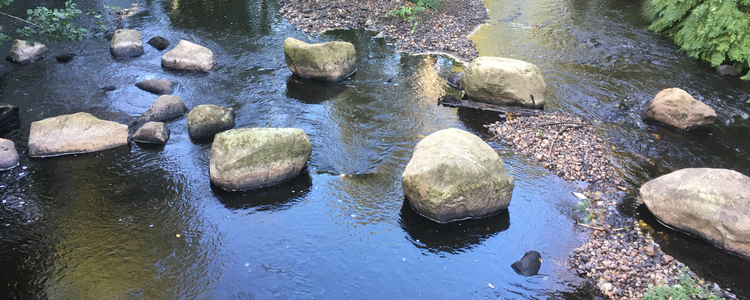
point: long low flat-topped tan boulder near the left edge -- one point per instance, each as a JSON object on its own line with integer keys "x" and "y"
{"x": 76, "y": 133}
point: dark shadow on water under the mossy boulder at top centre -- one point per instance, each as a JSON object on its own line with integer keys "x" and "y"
{"x": 312, "y": 91}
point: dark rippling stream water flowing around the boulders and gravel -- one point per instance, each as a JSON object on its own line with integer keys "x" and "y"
{"x": 145, "y": 223}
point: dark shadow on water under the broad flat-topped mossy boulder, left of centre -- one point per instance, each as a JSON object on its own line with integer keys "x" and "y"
{"x": 271, "y": 198}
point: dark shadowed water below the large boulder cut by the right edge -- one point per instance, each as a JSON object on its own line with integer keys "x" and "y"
{"x": 702, "y": 257}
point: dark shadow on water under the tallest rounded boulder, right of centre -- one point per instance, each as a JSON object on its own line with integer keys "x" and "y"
{"x": 454, "y": 237}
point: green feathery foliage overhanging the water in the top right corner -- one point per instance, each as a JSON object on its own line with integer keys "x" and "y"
{"x": 717, "y": 31}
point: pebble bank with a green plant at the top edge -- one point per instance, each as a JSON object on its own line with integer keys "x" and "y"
{"x": 444, "y": 30}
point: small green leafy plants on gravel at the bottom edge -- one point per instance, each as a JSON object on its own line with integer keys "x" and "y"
{"x": 688, "y": 288}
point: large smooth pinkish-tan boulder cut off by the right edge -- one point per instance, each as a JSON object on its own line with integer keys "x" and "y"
{"x": 711, "y": 203}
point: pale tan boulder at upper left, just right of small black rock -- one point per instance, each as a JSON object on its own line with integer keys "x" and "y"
{"x": 187, "y": 56}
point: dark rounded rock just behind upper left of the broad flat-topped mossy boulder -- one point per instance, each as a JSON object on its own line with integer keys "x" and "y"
{"x": 207, "y": 120}
